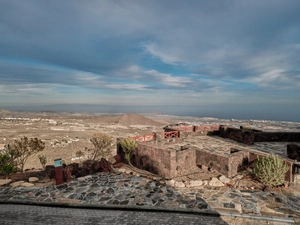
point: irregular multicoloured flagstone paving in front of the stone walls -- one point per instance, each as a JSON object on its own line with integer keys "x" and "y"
{"x": 128, "y": 191}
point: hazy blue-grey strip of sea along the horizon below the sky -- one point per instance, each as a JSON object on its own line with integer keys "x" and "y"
{"x": 218, "y": 112}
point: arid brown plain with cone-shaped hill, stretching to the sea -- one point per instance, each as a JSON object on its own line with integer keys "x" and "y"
{"x": 67, "y": 133}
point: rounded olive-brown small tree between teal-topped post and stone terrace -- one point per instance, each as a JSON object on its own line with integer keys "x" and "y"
{"x": 102, "y": 145}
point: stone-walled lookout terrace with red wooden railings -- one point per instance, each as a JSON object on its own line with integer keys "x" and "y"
{"x": 216, "y": 147}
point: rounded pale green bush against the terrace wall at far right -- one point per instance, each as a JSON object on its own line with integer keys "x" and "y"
{"x": 270, "y": 170}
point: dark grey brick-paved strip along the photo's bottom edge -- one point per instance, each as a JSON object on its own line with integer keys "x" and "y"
{"x": 28, "y": 214}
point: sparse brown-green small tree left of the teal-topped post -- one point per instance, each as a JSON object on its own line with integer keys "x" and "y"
{"x": 22, "y": 149}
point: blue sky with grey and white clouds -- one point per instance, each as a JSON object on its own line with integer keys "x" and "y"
{"x": 225, "y": 59}
